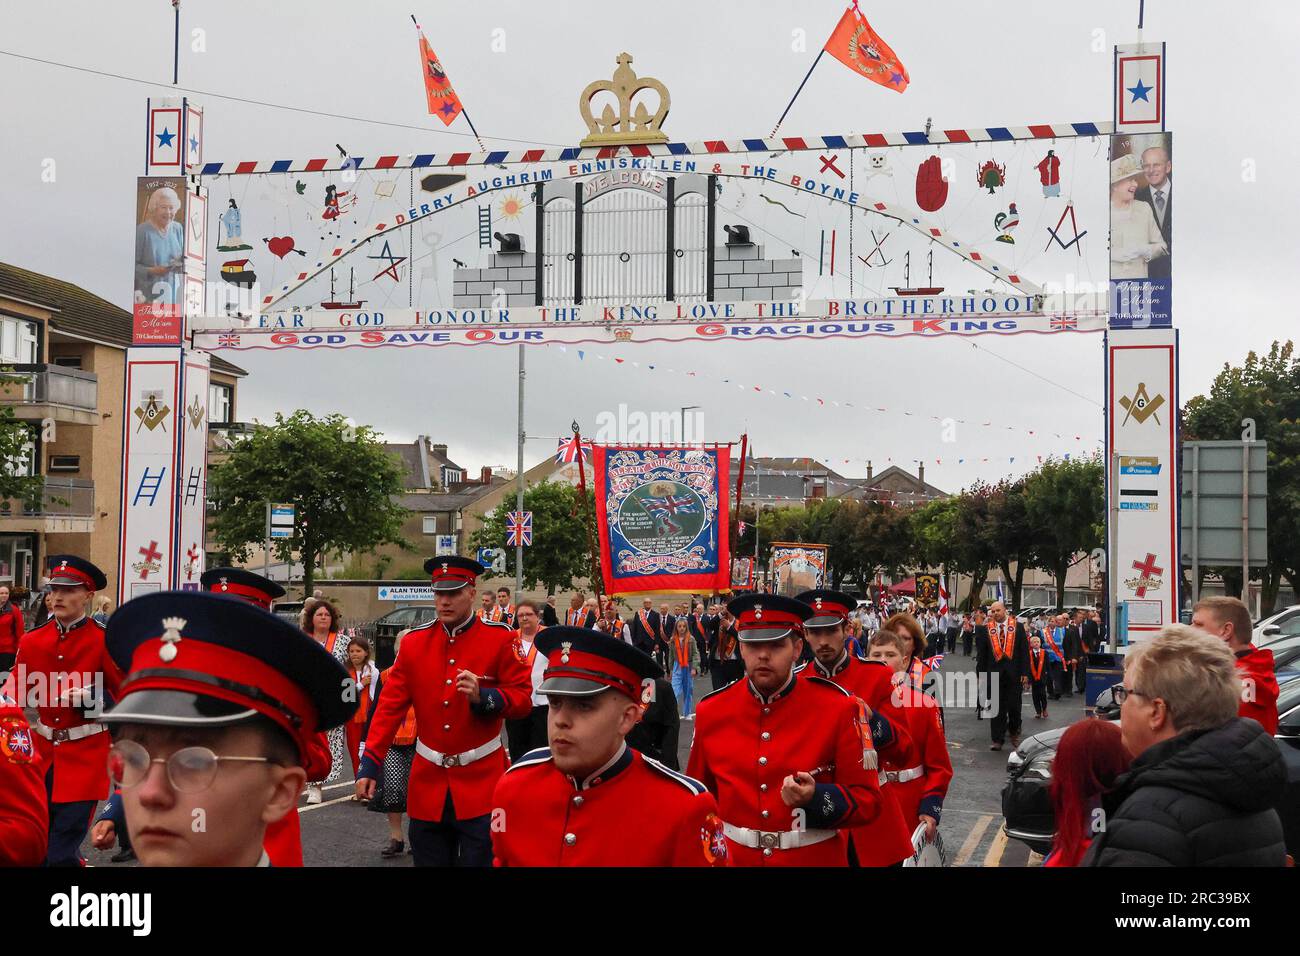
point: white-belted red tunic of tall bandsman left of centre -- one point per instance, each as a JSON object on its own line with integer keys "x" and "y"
{"x": 424, "y": 677}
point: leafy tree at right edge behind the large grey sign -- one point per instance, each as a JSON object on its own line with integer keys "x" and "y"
{"x": 1260, "y": 401}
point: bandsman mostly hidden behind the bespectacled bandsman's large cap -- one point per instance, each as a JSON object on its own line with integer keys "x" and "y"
{"x": 284, "y": 837}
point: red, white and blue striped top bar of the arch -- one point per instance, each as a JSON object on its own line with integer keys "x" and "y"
{"x": 703, "y": 148}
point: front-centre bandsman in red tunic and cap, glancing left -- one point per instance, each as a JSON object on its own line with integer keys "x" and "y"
{"x": 590, "y": 799}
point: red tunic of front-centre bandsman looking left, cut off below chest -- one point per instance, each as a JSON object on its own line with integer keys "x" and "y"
{"x": 635, "y": 812}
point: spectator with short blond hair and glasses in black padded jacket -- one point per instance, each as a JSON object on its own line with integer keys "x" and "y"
{"x": 1204, "y": 782}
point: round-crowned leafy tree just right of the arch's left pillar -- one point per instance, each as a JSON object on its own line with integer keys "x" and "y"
{"x": 339, "y": 478}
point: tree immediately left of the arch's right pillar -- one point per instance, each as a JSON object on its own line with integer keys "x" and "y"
{"x": 1065, "y": 505}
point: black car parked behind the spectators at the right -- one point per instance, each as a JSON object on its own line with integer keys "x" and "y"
{"x": 1028, "y": 808}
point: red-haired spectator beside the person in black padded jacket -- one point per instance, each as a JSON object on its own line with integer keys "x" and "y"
{"x": 1090, "y": 758}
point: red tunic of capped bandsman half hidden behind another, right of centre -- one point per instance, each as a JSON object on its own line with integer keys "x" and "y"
{"x": 887, "y": 840}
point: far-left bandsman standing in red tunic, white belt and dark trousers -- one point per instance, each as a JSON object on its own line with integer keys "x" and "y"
{"x": 66, "y": 674}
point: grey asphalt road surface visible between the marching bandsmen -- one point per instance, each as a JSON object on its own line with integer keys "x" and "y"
{"x": 343, "y": 833}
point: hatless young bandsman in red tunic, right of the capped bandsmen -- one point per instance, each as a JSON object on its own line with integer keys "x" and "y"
{"x": 920, "y": 784}
